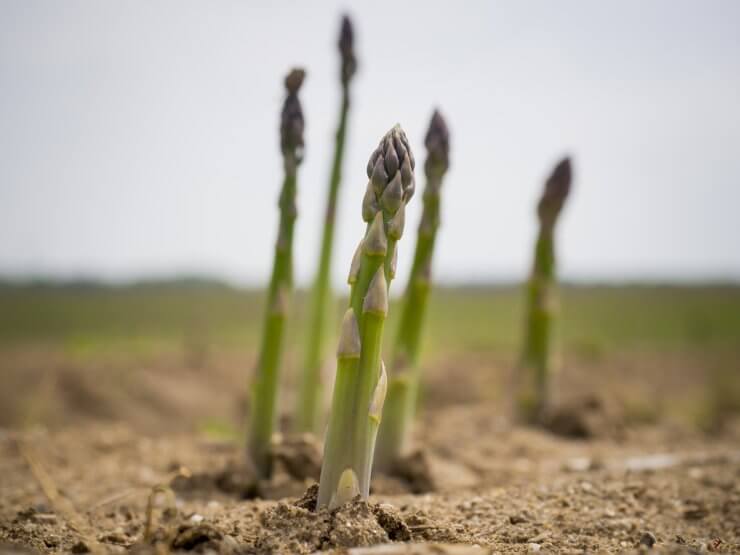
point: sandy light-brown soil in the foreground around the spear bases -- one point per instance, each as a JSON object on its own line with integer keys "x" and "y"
{"x": 658, "y": 490}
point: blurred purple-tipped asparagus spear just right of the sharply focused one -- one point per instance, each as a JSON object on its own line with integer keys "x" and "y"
{"x": 403, "y": 385}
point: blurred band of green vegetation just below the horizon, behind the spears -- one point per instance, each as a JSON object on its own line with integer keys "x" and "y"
{"x": 596, "y": 320}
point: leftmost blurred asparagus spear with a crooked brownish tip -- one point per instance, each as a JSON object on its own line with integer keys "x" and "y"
{"x": 263, "y": 405}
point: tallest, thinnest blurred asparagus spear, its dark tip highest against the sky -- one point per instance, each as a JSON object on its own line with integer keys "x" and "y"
{"x": 310, "y": 393}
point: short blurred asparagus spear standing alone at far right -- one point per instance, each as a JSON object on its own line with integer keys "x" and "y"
{"x": 536, "y": 366}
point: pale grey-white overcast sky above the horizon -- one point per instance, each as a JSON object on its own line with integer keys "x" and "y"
{"x": 140, "y": 138}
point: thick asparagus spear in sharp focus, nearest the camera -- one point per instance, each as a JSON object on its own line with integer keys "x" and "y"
{"x": 359, "y": 389}
